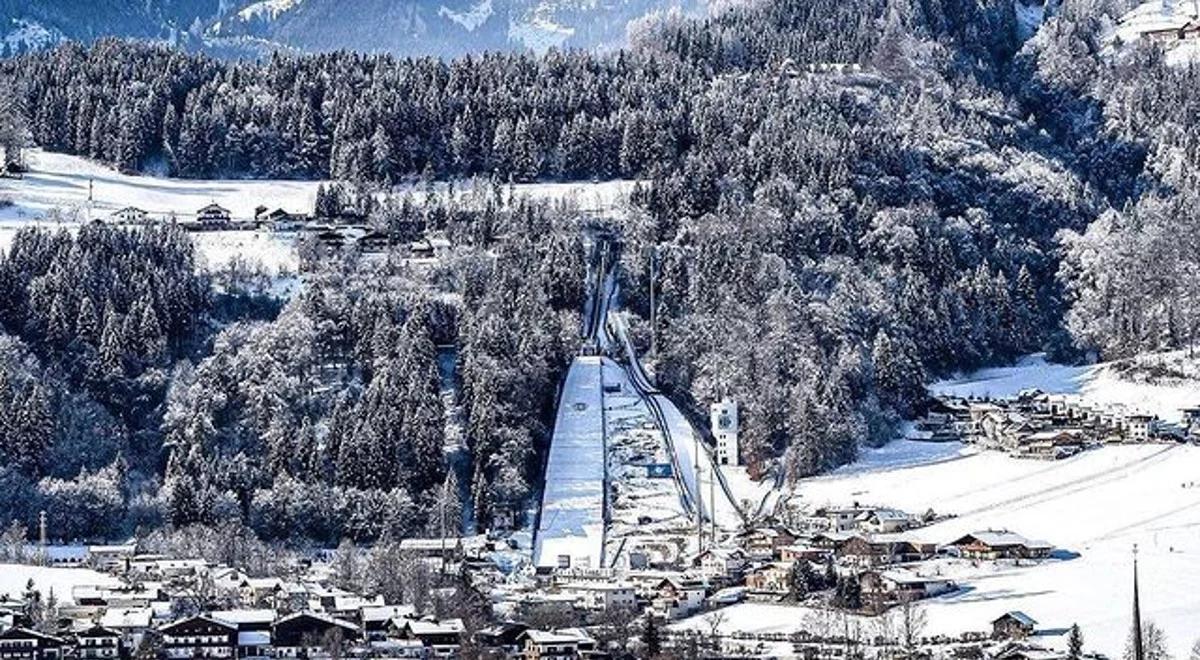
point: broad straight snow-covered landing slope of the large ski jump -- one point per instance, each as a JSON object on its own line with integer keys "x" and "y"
{"x": 573, "y": 503}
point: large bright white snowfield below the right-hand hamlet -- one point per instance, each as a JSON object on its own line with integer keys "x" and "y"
{"x": 1094, "y": 508}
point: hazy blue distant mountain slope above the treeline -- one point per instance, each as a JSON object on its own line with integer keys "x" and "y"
{"x": 443, "y": 28}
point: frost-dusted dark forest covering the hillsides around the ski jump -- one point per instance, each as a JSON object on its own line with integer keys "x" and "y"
{"x": 842, "y": 201}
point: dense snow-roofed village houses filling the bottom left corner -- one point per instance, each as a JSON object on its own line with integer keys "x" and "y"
{"x": 157, "y": 608}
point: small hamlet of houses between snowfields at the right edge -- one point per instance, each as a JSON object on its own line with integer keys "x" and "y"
{"x": 1040, "y": 425}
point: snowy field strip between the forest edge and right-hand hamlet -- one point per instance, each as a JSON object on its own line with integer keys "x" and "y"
{"x": 1101, "y": 383}
